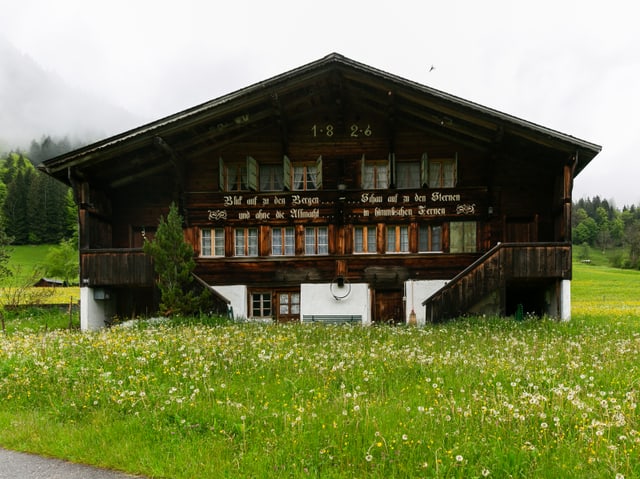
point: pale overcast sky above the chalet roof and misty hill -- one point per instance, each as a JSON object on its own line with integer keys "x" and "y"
{"x": 573, "y": 66}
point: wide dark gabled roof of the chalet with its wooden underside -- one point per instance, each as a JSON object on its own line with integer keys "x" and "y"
{"x": 158, "y": 146}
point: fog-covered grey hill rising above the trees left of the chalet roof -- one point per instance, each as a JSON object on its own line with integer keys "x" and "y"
{"x": 35, "y": 102}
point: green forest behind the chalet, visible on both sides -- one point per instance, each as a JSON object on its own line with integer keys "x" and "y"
{"x": 36, "y": 209}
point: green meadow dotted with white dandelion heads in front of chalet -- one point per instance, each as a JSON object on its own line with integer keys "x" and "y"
{"x": 473, "y": 398}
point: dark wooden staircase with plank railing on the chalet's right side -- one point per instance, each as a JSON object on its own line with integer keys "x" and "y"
{"x": 490, "y": 274}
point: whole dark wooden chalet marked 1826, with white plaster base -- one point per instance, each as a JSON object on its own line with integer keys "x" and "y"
{"x": 334, "y": 192}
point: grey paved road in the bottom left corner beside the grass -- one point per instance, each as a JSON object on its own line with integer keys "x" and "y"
{"x": 17, "y": 465}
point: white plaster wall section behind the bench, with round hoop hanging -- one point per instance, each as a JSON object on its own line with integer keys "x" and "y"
{"x": 318, "y": 299}
